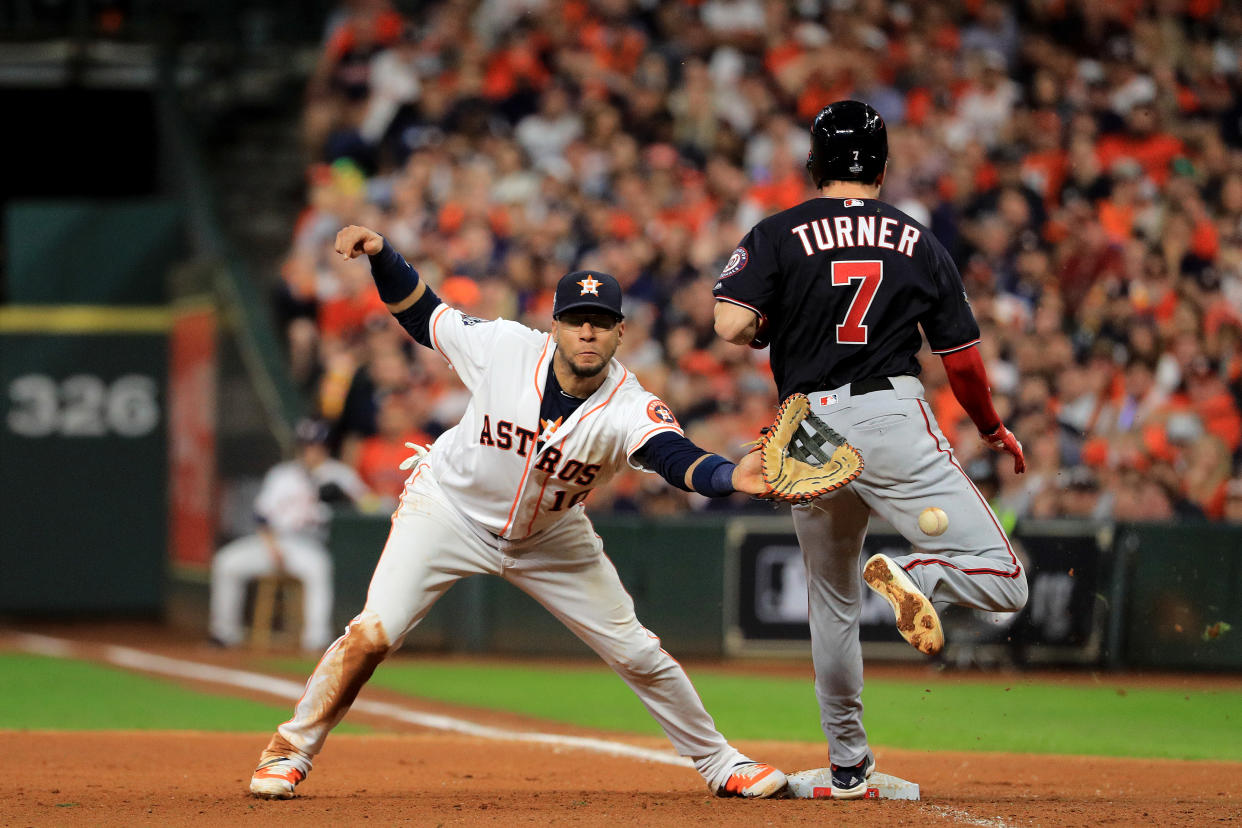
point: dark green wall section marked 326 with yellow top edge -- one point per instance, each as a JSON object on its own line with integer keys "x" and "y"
{"x": 84, "y": 460}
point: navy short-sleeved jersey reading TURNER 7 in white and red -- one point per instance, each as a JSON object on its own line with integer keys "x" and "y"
{"x": 845, "y": 285}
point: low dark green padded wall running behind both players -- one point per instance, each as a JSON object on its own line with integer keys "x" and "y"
{"x": 1131, "y": 596}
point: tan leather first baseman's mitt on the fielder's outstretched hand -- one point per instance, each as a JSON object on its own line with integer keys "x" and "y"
{"x": 803, "y": 457}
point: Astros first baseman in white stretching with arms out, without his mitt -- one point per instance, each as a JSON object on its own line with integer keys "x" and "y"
{"x": 552, "y": 416}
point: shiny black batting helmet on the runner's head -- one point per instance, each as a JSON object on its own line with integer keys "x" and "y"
{"x": 849, "y": 143}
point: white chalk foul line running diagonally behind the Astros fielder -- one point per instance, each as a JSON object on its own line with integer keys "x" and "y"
{"x": 290, "y": 691}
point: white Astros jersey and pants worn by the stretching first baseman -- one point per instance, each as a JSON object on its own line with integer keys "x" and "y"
{"x": 499, "y": 496}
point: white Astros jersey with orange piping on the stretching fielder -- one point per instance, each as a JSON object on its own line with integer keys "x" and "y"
{"x": 501, "y": 467}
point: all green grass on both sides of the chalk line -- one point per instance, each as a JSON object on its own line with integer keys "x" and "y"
{"x": 932, "y": 713}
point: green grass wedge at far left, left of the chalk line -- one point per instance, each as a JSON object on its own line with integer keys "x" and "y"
{"x": 43, "y": 693}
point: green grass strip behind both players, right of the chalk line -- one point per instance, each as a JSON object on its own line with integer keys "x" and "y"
{"x": 946, "y": 713}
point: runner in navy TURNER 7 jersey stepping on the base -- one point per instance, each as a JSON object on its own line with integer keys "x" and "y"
{"x": 839, "y": 287}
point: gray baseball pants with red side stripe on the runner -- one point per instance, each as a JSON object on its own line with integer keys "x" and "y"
{"x": 909, "y": 467}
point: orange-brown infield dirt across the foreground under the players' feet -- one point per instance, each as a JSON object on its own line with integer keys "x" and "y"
{"x": 160, "y": 779}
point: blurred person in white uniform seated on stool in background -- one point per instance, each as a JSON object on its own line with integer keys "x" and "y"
{"x": 292, "y": 526}
